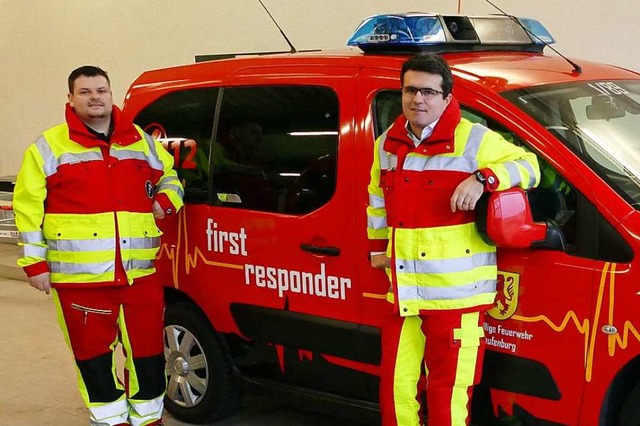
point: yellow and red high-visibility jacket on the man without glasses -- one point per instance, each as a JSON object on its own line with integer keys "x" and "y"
{"x": 83, "y": 207}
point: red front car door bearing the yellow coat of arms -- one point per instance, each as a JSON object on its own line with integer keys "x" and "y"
{"x": 541, "y": 333}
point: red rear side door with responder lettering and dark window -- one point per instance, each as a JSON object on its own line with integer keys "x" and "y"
{"x": 282, "y": 180}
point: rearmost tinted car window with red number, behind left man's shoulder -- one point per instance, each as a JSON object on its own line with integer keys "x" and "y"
{"x": 183, "y": 122}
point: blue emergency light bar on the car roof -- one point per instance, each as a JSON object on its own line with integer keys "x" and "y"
{"x": 439, "y": 33}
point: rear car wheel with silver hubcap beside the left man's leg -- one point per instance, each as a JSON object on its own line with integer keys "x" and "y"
{"x": 201, "y": 386}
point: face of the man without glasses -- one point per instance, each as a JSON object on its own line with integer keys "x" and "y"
{"x": 91, "y": 98}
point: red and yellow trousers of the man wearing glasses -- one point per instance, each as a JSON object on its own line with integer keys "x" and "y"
{"x": 450, "y": 346}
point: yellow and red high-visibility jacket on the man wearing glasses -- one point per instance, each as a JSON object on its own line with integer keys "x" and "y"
{"x": 438, "y": 259}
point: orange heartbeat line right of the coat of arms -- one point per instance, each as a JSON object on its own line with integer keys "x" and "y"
{"x": 590, "y": 328}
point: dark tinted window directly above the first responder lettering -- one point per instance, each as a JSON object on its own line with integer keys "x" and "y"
{"x": 276, "y": 148}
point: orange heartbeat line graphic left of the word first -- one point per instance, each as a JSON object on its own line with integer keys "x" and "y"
{"x": 190, "y": 259}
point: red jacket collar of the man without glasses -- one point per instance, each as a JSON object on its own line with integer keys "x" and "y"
{"x": 124, "y": 132}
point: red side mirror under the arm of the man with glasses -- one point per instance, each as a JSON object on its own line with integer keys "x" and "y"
{"x": 504, "y": 219}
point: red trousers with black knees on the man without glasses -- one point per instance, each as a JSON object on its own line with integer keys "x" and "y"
{"x": 94, "y": 321}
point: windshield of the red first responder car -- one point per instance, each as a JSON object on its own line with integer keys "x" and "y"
{"x": 599, "y": 121}
